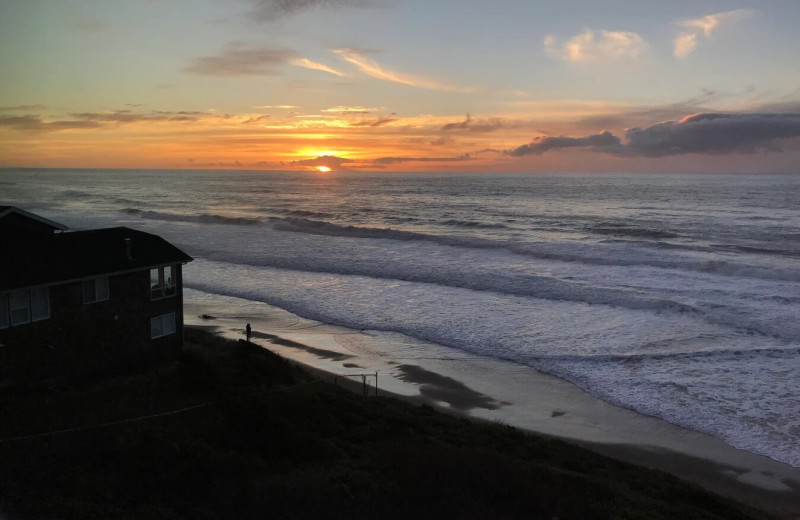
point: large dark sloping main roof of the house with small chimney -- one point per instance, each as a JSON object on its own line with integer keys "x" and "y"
{"x": 81, "y": 254}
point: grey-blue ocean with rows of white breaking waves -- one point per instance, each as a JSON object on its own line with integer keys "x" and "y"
{"x": 674, "y": 295}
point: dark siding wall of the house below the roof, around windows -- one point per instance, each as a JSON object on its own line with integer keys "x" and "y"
{"x": 80, "y": 339}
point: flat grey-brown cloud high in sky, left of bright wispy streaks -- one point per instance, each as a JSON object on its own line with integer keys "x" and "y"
{"x": 238, "y": 59}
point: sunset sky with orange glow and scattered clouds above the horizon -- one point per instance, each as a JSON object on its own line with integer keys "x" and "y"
{"x": 402, "y": 85}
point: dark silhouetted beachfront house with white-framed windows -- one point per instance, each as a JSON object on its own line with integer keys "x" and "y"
{"x": 75, "y": 303}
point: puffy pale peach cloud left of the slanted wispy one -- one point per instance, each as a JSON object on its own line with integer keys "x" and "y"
{"x": 591, "y": 47}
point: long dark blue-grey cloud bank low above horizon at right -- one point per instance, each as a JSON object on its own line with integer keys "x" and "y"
{"x": 704, "y": 133}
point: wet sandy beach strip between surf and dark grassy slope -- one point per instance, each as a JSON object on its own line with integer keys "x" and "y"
{"x": 557, "y": 408}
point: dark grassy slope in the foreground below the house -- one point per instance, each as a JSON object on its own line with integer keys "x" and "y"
{"x": 274, "y": 445}
